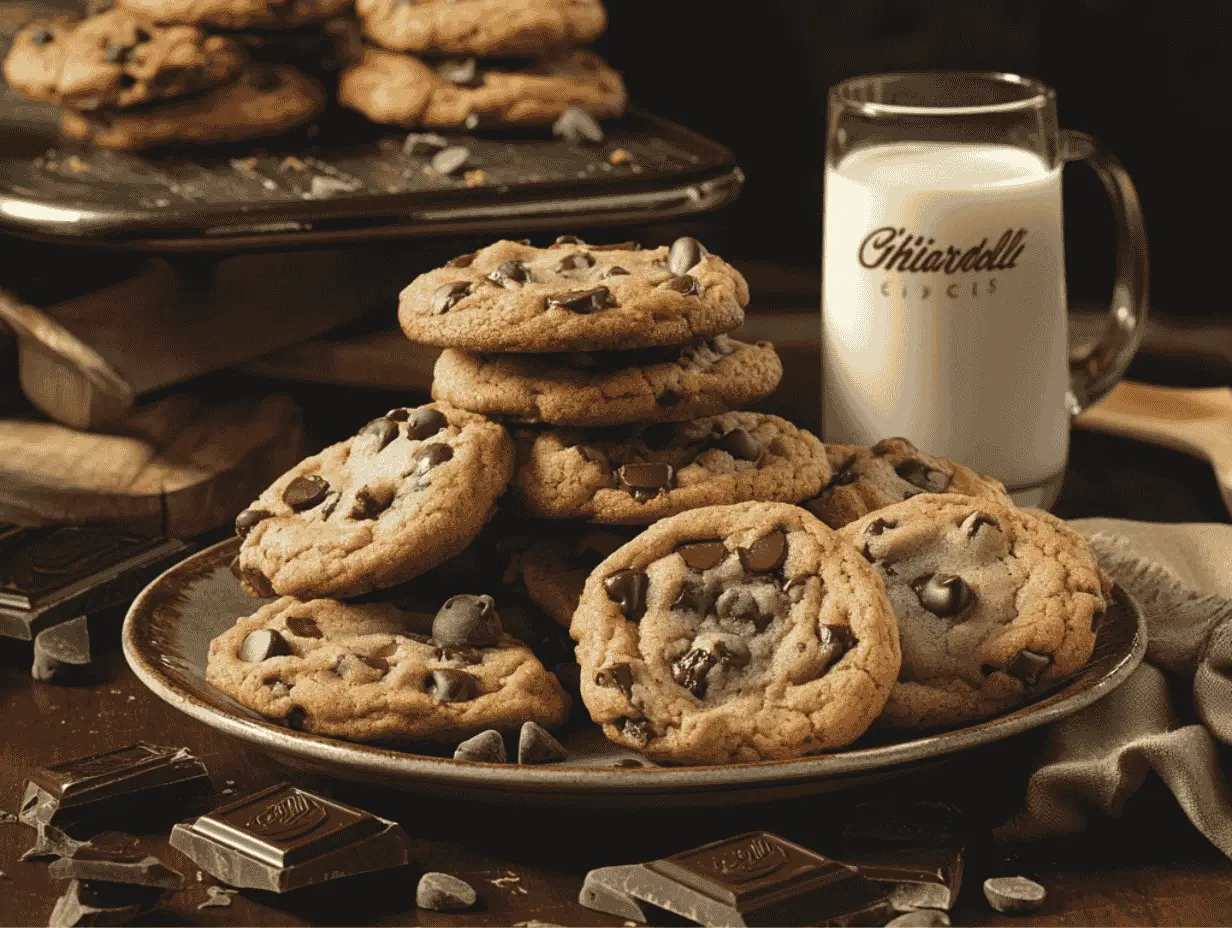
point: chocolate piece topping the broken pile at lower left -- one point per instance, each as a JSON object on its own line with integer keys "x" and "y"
{"x": 134, "y": 782}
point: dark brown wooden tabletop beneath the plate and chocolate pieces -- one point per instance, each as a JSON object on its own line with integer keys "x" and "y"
{"x": 1148, "y": 868}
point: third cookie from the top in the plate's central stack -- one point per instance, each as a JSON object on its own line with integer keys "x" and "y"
{"x": 666, "y": 469}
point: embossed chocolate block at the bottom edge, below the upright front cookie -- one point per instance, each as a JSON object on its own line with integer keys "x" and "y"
{"x": 756, "y": 879}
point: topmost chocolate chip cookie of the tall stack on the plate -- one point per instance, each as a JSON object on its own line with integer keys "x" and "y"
{"x": 575, "y": 298}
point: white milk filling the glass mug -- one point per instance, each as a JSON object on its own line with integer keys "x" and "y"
{"x": 930, "y": 330}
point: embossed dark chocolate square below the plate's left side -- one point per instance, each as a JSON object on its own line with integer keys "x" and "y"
{"x": 283, "y": 839}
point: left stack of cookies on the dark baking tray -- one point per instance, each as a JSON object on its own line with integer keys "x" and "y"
{"x": 156, "y": 72}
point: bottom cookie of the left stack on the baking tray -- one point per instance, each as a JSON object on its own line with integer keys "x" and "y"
{"x": 263, "y": 102}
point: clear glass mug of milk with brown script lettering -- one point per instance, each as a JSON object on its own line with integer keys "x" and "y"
{"x": 944, "y": 314}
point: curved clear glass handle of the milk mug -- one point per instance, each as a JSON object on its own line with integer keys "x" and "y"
{"x": 1096, "y": 372}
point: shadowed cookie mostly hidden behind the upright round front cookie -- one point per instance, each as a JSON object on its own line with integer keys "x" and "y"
{"x": 555, "y": 568}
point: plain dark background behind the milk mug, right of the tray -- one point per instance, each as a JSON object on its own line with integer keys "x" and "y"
{"x": 1150, "y": 81}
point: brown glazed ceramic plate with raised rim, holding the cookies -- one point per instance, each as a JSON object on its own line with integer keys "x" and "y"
{"x": 167, "y": 639}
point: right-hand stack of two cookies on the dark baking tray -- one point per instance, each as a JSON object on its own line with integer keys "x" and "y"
{"x": 481, "y": 65}
